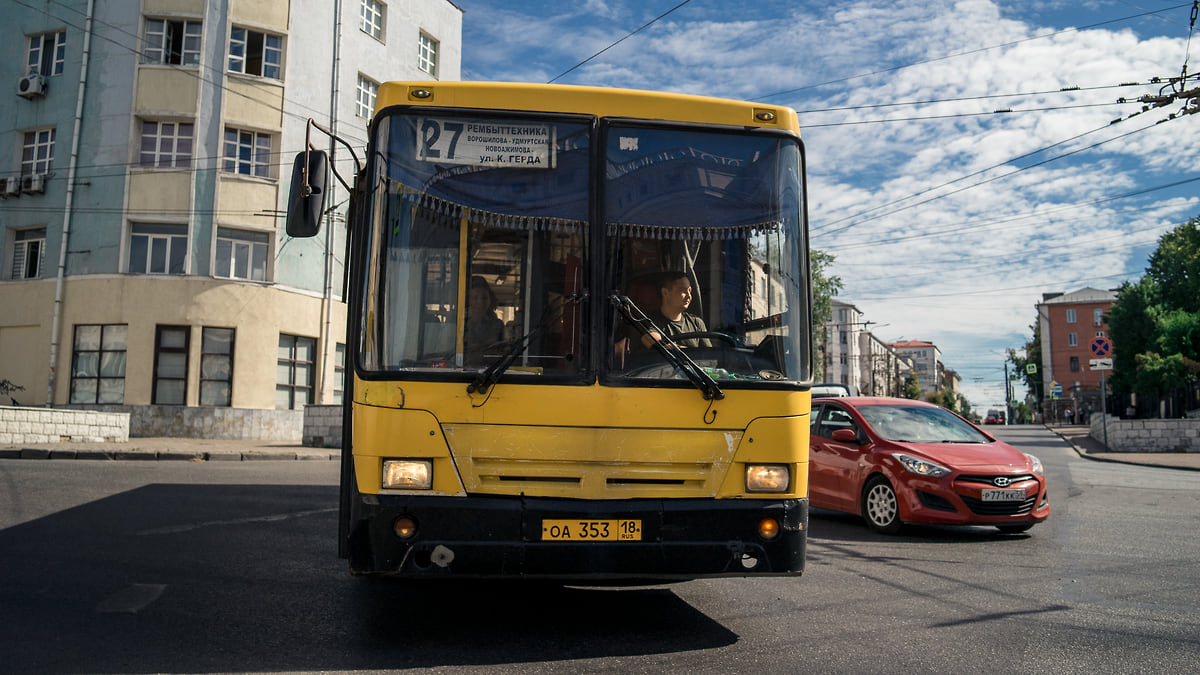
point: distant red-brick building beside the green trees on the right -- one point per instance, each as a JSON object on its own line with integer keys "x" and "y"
{"x": 1070, "y": 322}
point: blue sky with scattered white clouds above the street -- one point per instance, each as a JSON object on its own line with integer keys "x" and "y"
{"x": 964, "y": 158}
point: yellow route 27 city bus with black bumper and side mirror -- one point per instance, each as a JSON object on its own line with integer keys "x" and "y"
{"x": 579, "y": 336}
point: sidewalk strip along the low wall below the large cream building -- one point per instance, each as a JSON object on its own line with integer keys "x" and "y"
{"x": 187, "y": 450}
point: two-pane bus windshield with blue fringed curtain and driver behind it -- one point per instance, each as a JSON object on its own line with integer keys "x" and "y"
{"x": 483, "y": 226}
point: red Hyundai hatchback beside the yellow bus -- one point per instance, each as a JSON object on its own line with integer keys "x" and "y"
{"x": 896, "y": 462}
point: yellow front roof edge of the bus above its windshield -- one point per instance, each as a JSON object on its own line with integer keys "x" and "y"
{"x": 598, "y": 101}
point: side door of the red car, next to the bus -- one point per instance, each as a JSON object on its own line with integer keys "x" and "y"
{"x": 833, "y": 465}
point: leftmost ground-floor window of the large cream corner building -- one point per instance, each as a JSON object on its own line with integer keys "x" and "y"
{"x": 98, "y": 366}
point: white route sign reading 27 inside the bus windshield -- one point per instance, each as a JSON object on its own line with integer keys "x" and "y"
{"x": 455, "y": 141}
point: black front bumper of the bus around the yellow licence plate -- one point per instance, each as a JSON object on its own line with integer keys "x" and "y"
{"x": 509, "y": 537}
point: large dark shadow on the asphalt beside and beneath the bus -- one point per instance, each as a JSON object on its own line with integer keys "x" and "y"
{"x": 233, "y": 578}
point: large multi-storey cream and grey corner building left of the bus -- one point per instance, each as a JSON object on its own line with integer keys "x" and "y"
{"x": 145, "y": 262}
